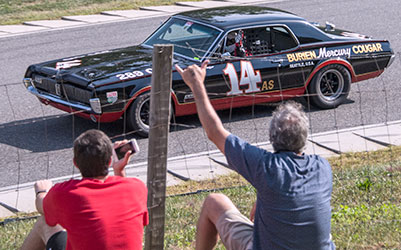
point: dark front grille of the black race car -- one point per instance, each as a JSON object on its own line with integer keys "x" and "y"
{"x": 67, "y": 91}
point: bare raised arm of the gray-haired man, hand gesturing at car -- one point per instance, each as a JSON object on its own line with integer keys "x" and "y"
{"x": 194, "y": 77}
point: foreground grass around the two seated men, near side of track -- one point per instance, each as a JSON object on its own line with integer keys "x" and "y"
{"x": 366, "y": 204}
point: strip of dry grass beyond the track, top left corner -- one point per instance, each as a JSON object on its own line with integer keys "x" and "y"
{"x": 19, "y": 11}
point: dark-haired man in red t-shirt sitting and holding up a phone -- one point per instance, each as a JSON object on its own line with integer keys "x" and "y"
{"x": 96, "y": 212}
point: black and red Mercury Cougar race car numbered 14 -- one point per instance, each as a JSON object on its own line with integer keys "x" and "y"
{"x": 256, "y": 55}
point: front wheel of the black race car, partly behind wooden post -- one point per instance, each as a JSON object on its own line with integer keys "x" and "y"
{"x": 139, "y": 115}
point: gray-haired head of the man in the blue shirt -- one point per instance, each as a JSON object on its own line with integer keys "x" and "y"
{"x": 289, "y": 128}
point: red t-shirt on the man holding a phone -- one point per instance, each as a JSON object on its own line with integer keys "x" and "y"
{"x": 99, "y": 215}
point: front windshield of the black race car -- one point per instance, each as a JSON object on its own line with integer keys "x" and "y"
{"x": 190, "y": 39}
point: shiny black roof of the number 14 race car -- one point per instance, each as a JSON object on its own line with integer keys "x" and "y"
{"x": 239, "y": 16}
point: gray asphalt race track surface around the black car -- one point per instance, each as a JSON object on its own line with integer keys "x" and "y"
{"x": 36, "y": 140}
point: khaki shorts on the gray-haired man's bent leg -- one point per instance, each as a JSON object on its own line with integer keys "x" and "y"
{"x": 235, "y": 230}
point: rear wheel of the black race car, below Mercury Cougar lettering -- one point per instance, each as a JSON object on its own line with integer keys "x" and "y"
{"x": 330, "y": 86}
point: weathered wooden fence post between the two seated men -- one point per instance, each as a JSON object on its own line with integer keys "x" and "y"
{"x": 160, "y": 97}
